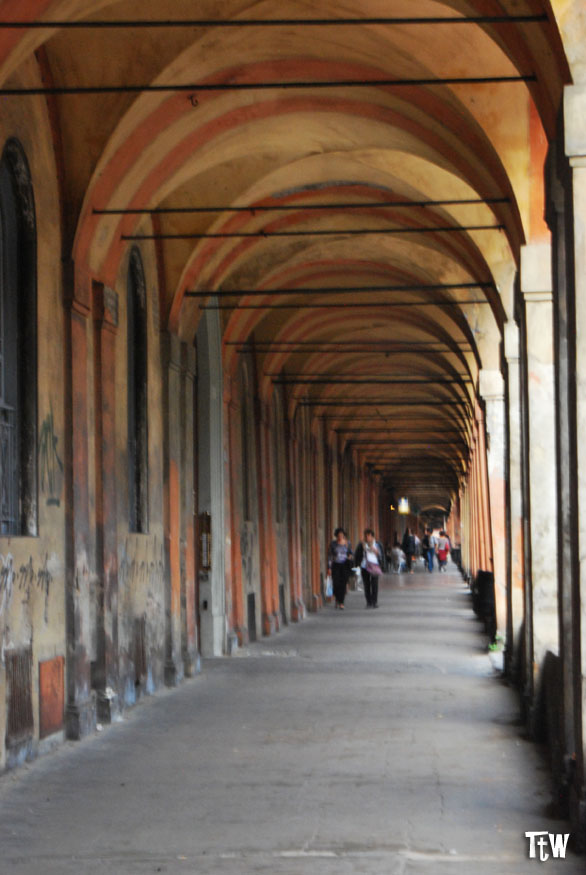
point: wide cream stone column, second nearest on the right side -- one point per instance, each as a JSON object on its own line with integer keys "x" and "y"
{"x": 536, "y": 287}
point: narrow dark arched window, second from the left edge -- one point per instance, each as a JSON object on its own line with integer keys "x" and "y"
{"x": 137, "y": 395}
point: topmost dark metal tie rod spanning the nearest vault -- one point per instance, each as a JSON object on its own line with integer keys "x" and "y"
{"x": 270, "y": 22}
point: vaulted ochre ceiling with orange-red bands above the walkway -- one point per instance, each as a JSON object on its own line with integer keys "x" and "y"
{"x": 426, "y": 307}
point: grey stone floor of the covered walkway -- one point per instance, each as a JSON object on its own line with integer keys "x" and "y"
{"x": 358, "y": 742}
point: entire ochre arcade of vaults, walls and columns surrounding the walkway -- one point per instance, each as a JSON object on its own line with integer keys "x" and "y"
{"x": 262, "y": 280}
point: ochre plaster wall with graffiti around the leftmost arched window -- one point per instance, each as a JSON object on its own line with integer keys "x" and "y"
{"x": 32, "y": 569}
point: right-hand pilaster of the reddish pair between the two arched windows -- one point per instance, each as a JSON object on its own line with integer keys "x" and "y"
{"x": 107, "y": 673}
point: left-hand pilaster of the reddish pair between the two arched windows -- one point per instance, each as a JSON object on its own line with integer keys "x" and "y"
{"x": 80, "y": 711}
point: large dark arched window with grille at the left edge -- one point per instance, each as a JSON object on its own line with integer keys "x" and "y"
{"x": 18, "y": 346}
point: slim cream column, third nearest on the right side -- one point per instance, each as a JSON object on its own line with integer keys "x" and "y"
{"x": 515, "y": 564}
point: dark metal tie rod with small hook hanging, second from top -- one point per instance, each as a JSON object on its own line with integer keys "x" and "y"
{"x": 194, "y": 88}
